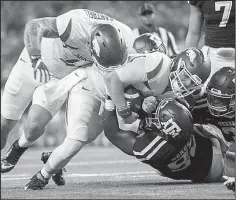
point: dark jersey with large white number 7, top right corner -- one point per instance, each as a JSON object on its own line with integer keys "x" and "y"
{"x": 219, "y": 17}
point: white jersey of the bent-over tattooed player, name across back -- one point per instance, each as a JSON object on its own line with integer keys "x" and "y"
{"x": 73, "y": 48}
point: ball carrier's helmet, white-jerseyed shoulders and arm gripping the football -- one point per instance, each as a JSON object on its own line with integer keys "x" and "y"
{"x": 155, "y": 74}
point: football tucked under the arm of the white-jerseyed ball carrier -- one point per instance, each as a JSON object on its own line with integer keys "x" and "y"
{"x": 133, "y": 98}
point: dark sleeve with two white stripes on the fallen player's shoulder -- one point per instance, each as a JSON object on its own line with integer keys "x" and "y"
{"x": 151, "y": 147}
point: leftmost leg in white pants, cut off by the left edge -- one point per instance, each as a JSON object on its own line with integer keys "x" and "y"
{"x": 17, "y": 95}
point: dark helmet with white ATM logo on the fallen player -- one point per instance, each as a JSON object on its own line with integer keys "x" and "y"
{"x": 173, "y": 119}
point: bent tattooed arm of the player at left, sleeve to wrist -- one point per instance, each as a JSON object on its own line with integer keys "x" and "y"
{"x": 35, "y": 30}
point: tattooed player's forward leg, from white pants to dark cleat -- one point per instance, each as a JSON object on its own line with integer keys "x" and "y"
{"x": 39, "y": 115}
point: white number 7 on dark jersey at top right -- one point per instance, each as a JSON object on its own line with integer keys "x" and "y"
{"x": 227, "y": 8}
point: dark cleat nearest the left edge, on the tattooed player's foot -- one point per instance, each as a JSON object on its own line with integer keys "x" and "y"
{"x": 12, "y": 156}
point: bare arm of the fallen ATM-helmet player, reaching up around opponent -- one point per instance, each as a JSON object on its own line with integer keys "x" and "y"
{"x": 124, "y": 140}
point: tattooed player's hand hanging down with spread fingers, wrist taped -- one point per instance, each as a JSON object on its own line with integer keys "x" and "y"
{"x": 41, "y": 72}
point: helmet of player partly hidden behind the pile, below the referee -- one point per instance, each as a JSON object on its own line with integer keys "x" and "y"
{"x": 148, "y": 43}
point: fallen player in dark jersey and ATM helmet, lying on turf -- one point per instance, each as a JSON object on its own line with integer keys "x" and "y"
{"x": 167, "y": 142}
